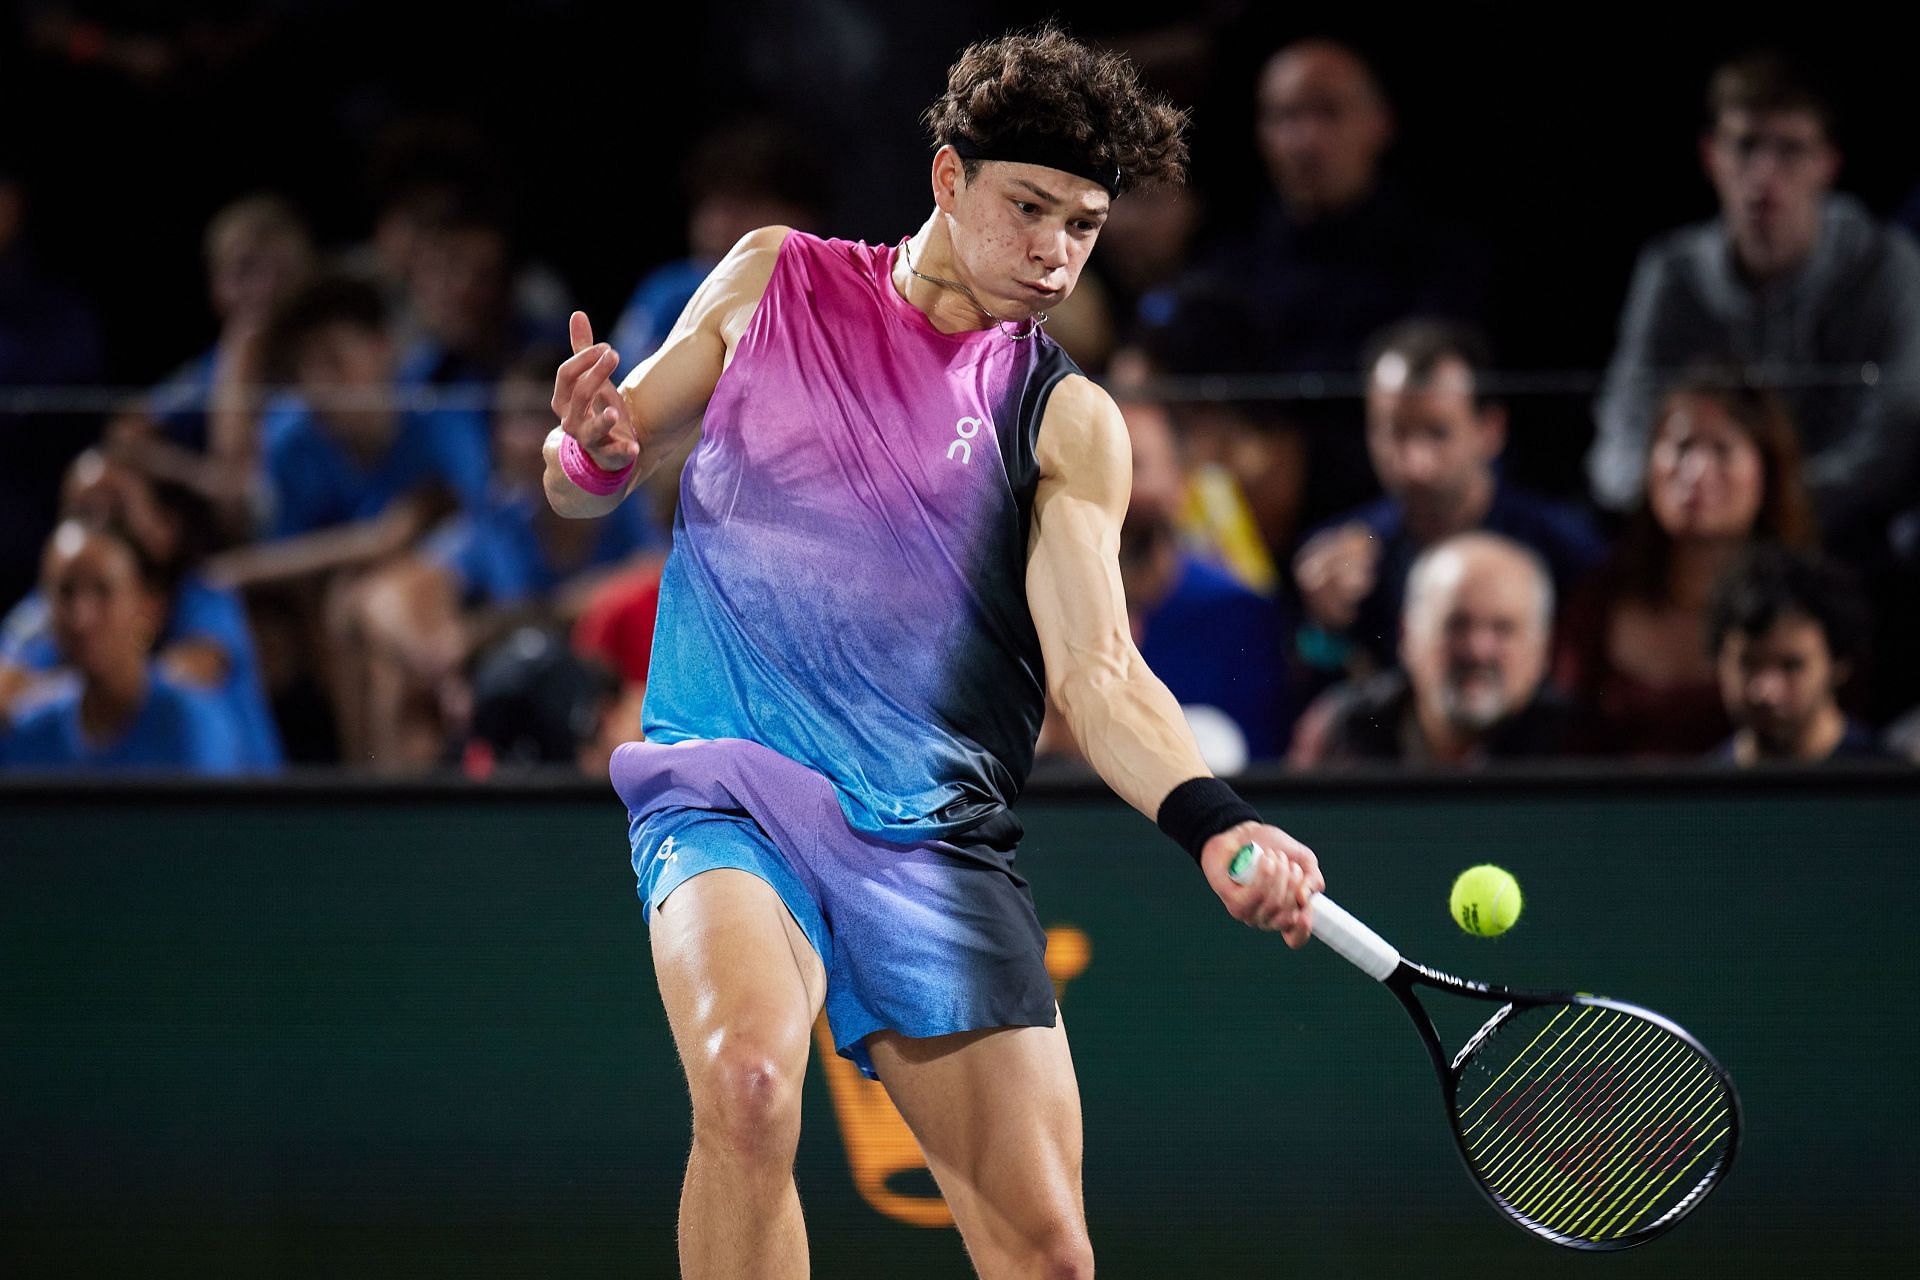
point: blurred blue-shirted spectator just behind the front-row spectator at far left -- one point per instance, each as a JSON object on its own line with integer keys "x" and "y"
{"x": 204, "y": 638}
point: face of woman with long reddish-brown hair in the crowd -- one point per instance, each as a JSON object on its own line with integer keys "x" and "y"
{"x": 1706, "y": 473}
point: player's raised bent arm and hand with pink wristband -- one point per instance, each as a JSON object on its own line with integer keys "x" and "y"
{"x": 648, "y": 415}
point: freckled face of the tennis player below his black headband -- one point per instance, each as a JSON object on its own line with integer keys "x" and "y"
{"x": 1022, "y": 235}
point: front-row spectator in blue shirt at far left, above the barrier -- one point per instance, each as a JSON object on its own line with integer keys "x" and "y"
{"x": 122, "y": 711}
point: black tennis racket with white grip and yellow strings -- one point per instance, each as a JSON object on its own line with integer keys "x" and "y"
{"x": 1589, "y": 1122}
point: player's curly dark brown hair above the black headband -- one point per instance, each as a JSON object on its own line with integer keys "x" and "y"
{"x": 1045, "y": 83}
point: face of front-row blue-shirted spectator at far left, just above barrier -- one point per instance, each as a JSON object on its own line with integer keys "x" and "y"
{"x": 103, "y": 613}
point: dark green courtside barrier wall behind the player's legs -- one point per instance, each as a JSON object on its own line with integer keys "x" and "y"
{"x": 412, "y": 1033}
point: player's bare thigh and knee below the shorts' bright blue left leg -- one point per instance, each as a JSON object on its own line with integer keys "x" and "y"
{"x": 742, "y": 989}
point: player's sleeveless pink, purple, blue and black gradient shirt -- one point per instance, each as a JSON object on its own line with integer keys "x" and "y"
{"x": 848, "y": 579}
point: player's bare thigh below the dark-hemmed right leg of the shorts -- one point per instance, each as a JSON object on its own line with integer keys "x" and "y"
{"x": 999, "y": 1118}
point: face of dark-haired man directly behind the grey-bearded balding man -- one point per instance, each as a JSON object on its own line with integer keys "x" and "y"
{"x": 1431, "y": 444}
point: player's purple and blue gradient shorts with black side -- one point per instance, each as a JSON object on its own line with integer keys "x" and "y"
{"x": 923, "y": 939}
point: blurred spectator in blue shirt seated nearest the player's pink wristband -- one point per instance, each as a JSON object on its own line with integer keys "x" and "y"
{"x": 414, "y": 625}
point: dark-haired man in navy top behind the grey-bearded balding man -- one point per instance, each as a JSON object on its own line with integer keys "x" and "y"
{"x": 1435, "y": 440}
